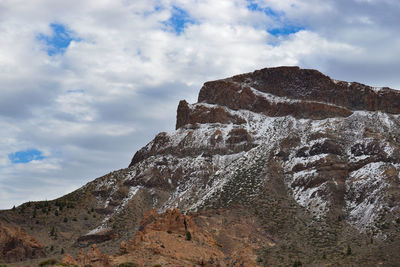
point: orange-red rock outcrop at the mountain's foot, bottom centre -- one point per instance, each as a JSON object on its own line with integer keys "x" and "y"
{"x": 216, "y": 239}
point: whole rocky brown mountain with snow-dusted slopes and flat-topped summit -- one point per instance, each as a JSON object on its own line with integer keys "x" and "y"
{"x": 278, "y": 167}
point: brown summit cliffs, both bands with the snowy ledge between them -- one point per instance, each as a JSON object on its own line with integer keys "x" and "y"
{"x": 287, "y": 91}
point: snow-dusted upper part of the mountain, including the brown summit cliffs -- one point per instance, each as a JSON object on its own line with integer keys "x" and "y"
{"x": 335, "y": 142}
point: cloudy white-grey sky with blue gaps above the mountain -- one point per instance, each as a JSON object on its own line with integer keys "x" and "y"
{"x": 85, "y": 84}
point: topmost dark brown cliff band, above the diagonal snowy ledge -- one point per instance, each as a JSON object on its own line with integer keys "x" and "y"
{"x": 306, "y": 85}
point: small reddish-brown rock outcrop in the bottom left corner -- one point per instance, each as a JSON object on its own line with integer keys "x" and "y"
{"x": 16, "y": 245}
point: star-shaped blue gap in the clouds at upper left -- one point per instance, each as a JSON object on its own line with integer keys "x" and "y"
{"x": 59, "y": 40}
